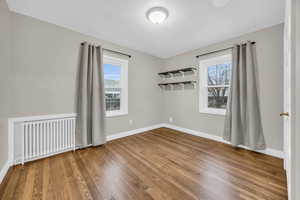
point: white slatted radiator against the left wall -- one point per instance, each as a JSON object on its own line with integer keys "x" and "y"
{"x": 42, "y": 138}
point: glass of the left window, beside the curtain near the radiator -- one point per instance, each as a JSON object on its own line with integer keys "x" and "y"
{"x": 112, "y": 84}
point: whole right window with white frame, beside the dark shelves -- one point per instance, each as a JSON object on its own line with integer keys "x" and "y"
{"x": 215, "y": 77}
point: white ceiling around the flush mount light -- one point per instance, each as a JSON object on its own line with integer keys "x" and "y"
{"x": 191, "y": 24}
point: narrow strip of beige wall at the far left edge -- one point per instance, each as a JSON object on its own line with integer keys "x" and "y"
{"x": 5, "y": 58}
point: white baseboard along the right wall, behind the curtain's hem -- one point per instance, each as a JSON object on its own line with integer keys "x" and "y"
{"x": 268, "y": 151}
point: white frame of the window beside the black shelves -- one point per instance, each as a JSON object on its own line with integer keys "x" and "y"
{"x": 203, "y": 85}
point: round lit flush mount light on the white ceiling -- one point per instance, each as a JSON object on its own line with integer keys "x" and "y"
{"x": 157, "y": 15}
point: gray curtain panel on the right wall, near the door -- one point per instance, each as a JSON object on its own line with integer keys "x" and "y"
{"x": 243, "y": 125}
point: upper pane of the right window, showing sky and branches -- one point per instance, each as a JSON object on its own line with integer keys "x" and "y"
{"x": 219, "y": 74}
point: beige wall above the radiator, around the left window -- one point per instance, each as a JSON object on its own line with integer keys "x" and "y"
{"x": 45, "y": 59}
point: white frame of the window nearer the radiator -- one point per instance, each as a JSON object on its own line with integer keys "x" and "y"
{"x": 123, "y": 63}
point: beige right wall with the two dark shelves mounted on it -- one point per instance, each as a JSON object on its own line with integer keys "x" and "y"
{"x": 183, "y": 105}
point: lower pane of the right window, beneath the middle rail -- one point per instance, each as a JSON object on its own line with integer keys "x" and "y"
{"x": 217, "y": 97}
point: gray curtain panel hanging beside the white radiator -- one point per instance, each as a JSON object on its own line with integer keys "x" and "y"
{"x": 90, "y": 98}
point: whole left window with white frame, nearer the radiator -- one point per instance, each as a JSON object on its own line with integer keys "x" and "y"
{"x": 115, "y": 85}
